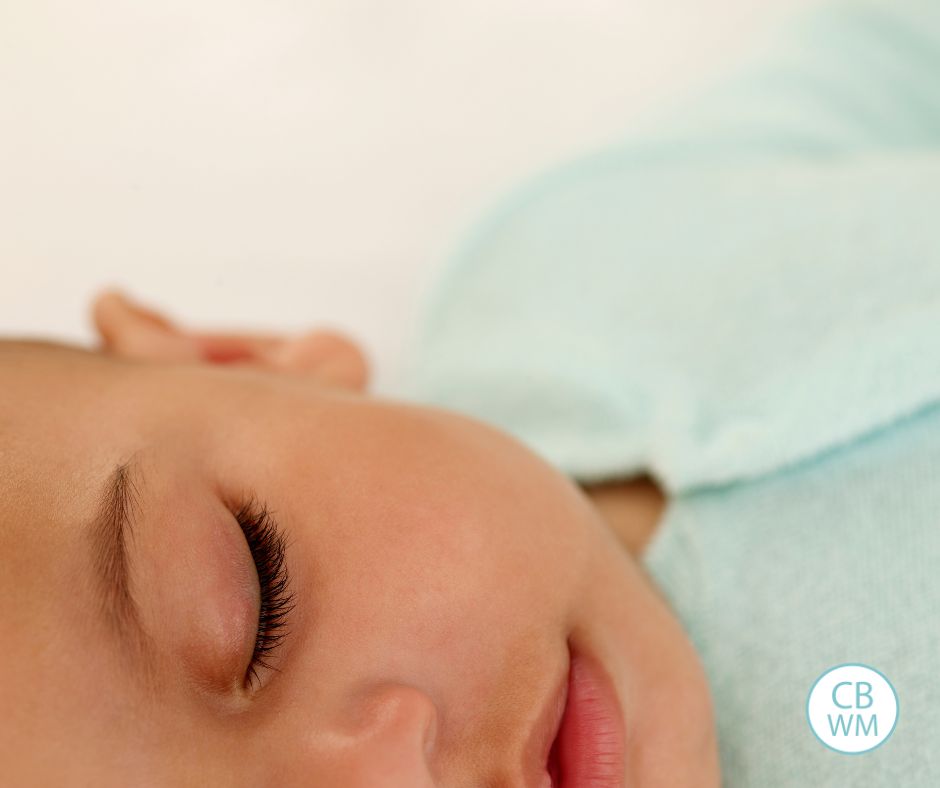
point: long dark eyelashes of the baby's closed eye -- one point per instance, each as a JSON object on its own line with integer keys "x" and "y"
{"x": 268, "y": 546}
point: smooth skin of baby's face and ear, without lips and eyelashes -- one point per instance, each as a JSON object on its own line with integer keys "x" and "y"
{"x": 439, "y": 572}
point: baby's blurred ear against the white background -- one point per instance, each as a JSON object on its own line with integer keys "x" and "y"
{"x": 131, "y": 330}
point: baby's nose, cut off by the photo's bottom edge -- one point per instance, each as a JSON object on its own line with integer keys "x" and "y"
{"x": 392, "y": 744}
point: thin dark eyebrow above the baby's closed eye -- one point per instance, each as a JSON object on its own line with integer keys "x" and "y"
{"x": 110, "y": 531}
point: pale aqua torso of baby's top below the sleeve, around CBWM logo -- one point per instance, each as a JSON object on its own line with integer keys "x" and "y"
{"x": 779, "y": 579}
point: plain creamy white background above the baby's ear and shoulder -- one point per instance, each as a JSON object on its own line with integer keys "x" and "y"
{"x": 280, "y": 165}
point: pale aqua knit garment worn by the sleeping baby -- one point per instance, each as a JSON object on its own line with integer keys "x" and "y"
{"x": 747, "y": 304}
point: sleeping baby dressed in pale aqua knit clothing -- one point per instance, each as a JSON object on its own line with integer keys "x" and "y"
{"x": 667, "y": 455}
